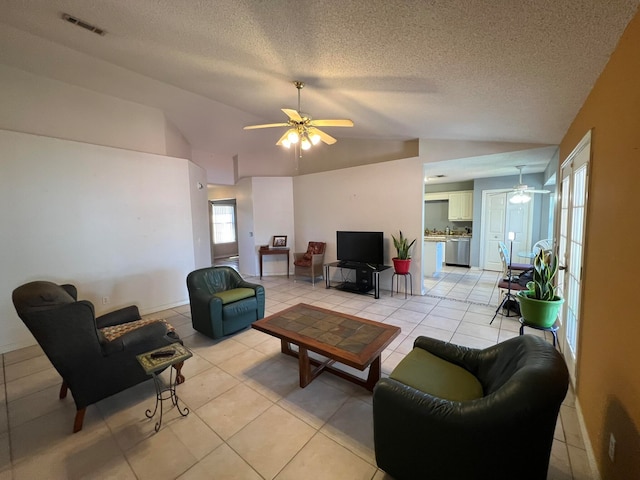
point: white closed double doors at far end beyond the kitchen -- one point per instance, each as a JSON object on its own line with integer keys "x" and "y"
{"x": 500, "y": 218}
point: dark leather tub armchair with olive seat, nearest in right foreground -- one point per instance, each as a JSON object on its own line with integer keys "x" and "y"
{"x": 453, "y": 412}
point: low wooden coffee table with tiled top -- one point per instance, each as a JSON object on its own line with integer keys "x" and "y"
{"x": 350, "y": 340}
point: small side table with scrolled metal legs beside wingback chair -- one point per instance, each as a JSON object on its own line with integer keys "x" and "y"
{"x": 153, "y": 365}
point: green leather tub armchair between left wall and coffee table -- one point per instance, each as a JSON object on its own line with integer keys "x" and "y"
{"x": 222, "y": 302}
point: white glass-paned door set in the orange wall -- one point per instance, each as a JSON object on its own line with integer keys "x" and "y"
{"x": 573, "y": 216}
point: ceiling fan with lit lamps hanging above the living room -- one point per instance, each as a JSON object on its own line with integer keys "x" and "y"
{"x": 302, "y": 128}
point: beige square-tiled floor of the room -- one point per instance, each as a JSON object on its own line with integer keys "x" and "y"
{"x": 249, "y": 419}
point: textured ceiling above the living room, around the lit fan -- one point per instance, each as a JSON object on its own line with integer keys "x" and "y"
{"x": 497, "y": 70}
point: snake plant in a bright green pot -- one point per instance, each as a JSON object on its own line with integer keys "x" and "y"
{"x": 539, "y": 305}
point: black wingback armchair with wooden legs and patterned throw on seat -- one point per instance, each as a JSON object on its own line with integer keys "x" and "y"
{"x": 96, "y": 357}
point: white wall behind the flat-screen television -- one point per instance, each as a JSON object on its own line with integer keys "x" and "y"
{"x": 383, "y": 197}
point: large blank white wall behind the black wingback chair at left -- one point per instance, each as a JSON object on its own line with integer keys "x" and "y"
{"x": 115, "y": 223}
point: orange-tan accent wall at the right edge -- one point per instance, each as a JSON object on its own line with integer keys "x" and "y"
{"x": 608, "y": 377}
